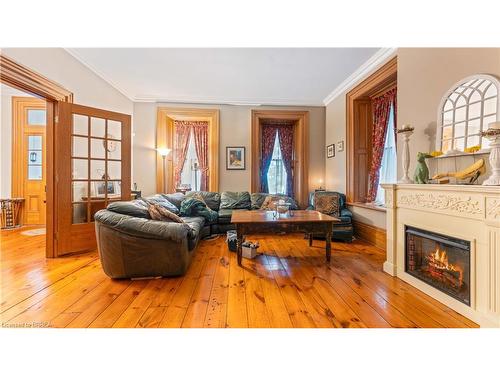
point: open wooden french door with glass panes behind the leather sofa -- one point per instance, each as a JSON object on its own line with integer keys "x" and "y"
{"x": 92, "y": 168}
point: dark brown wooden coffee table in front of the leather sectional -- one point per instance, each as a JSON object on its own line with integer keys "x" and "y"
{"x": 261, "y": 222}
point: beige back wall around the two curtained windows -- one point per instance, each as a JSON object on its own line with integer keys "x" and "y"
{"x": 235, "y": 124}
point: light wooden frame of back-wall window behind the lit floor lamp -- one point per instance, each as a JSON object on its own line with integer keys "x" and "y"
{"x": 165, "y": 139}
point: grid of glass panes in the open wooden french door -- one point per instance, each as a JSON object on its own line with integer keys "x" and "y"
{"x": 96, "y": 165}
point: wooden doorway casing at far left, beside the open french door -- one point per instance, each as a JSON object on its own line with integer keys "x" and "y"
{"x": 27, "y": 80}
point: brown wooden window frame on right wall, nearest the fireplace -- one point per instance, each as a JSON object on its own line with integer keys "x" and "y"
{"x": 377, "y": 83}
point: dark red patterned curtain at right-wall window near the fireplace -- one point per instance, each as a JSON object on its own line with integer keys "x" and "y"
{"x": 381, "y": 107}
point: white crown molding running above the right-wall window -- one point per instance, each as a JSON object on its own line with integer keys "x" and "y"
{"x": 379, "y": 58}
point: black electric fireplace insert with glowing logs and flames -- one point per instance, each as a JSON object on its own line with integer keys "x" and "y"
{"x": 440, "y": 261}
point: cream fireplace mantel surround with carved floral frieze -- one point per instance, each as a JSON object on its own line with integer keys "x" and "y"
{"x": 469, "y": 212}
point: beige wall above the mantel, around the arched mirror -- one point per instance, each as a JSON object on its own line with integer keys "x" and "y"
{"x": 424, "y": 76}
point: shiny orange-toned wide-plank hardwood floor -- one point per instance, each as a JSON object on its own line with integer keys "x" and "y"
{"x": 289, "y": 285}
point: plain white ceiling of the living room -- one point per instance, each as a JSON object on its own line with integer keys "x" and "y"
{"x": 246, "y": 76}
